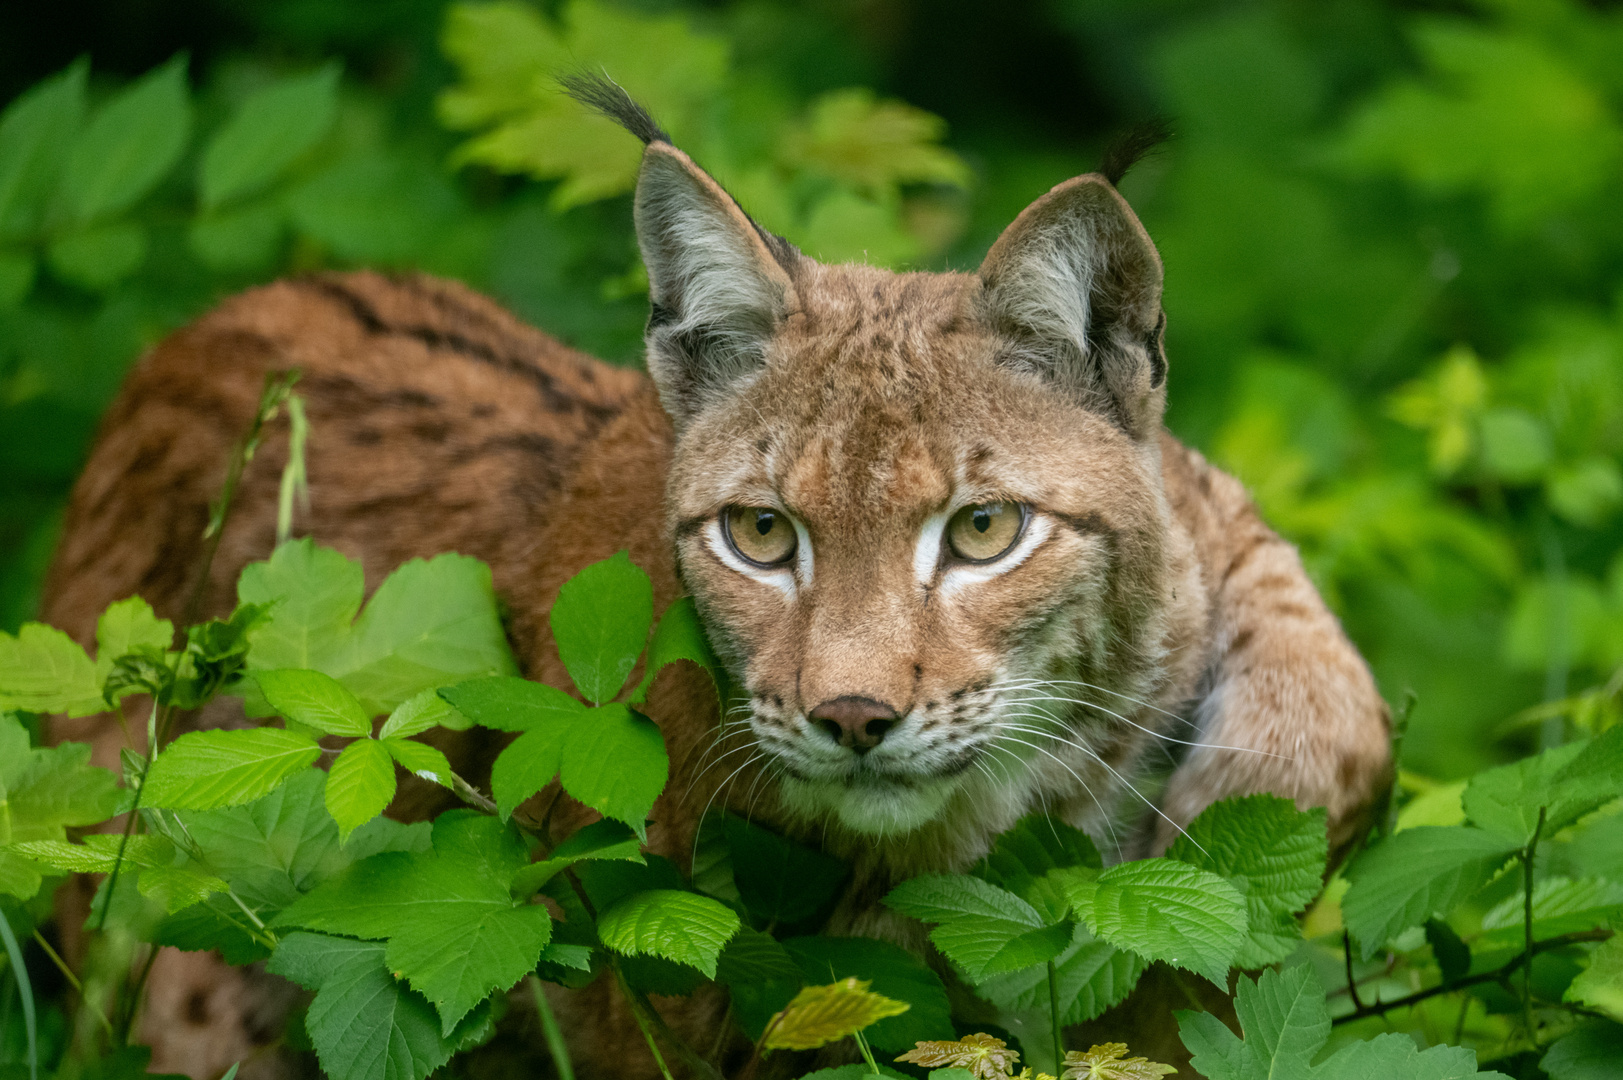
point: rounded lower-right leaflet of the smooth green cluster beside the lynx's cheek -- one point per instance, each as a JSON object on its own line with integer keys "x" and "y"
{"x": 614, "y": 761}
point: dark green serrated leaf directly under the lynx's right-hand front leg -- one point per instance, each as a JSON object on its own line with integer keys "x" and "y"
{"x": 1273, "y": 855}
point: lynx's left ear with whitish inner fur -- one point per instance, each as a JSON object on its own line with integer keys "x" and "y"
{"x": 718, "y": 283}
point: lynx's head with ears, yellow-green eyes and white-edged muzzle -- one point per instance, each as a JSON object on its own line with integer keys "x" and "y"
{"x": 911, "y": 506}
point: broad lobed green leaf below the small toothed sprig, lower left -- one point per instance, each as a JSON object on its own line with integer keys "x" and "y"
{"x": 454, "y": 931}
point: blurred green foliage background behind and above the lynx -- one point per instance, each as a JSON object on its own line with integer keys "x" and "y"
{"x": 1393, "y": 238}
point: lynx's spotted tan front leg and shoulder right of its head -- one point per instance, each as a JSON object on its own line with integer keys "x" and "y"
{"x": 1288, "y": 691}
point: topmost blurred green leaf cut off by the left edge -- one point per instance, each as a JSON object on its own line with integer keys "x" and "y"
{"x": 37, "y": 131}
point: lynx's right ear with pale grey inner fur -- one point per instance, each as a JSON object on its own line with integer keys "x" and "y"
{"x": 1075, "y": 288}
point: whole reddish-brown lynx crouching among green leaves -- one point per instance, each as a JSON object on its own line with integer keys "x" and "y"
{"x": 932, "y": 522}
